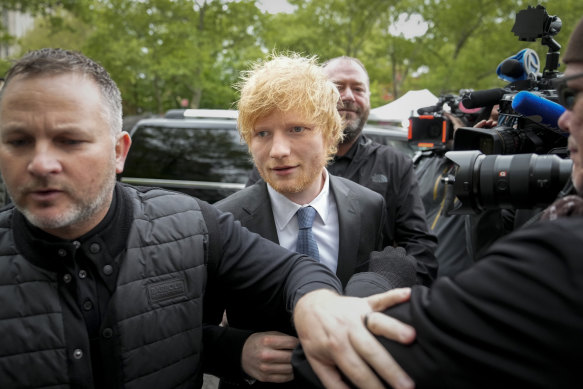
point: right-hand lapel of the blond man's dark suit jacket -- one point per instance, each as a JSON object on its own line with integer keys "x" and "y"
{"x": 349, "y": 231}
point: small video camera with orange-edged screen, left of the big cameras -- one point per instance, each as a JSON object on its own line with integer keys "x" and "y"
{"x": 432, "y": 129}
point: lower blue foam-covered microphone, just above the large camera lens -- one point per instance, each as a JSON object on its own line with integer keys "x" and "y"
{"x": 537, "y": 108}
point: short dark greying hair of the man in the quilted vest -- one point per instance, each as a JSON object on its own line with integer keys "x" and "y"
{"x": 50, "y": 61}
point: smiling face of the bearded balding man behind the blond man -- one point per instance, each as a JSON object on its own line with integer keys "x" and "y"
{"x": 352, "y": 83}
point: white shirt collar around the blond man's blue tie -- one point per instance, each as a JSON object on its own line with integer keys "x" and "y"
{"x": 284, "y": 209}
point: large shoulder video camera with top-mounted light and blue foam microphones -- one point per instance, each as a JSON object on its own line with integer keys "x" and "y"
{"x": 528, "y": 111}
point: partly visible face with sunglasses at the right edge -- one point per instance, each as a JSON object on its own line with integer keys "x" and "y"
{"x": 572, "y": 121}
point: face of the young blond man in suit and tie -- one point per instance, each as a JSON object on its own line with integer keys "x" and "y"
{"x": 290, "y": 154}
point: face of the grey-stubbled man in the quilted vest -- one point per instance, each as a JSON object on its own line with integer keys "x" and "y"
{"x": 58, "y": 156}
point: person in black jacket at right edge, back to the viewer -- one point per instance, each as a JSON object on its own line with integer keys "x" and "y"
{"x": 513, "y": 319}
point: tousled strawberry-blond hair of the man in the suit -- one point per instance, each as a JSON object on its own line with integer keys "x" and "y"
{"x": 287, "y": 82}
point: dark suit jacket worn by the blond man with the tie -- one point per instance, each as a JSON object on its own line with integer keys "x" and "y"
{"x": 361, "y": 215}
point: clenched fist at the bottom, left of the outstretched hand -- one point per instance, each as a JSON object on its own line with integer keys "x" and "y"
{"x": 267, "y": 356}
